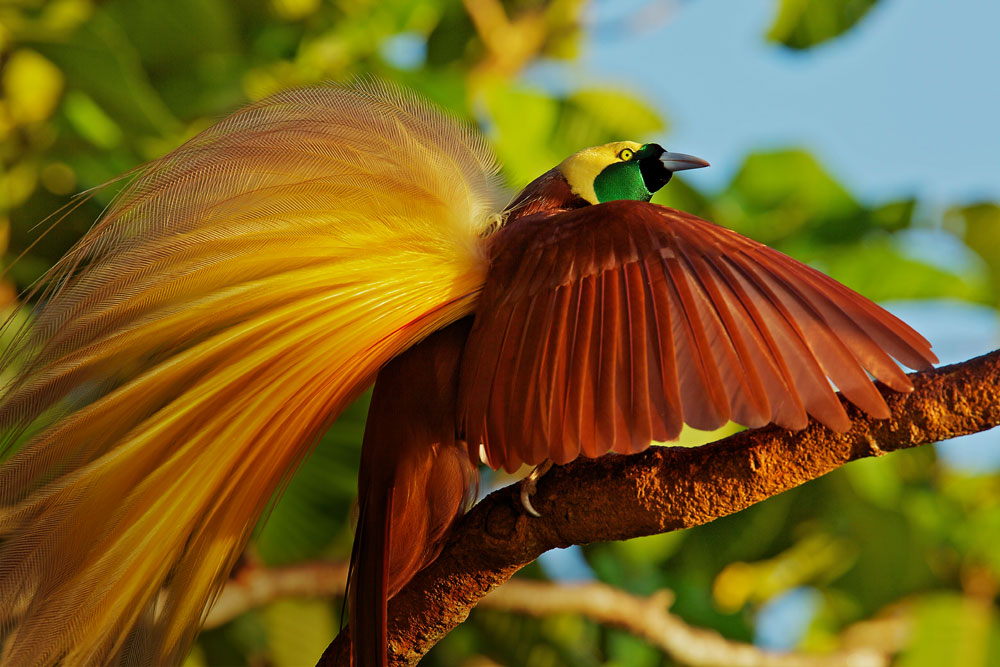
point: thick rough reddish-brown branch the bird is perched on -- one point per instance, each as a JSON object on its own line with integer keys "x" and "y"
{"x": 664, "y": 489}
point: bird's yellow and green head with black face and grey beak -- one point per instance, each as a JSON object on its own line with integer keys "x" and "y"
{"x": 623, "y": 170}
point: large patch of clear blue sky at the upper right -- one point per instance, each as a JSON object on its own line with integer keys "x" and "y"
{"x": 907, "y": 103}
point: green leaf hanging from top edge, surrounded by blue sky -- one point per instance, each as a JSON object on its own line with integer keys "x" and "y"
{"x": 801, "y": 24}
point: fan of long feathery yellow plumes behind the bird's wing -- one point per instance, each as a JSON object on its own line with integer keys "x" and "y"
{"x": 238, "y": 294}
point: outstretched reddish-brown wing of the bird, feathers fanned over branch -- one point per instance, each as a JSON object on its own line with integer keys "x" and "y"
{"x": 607, "y": 327}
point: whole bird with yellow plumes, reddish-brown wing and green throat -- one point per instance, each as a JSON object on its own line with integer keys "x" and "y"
{"x": 240, "y": 291}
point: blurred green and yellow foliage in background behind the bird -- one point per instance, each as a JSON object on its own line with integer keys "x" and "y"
{"x": 92, "y": 89}
